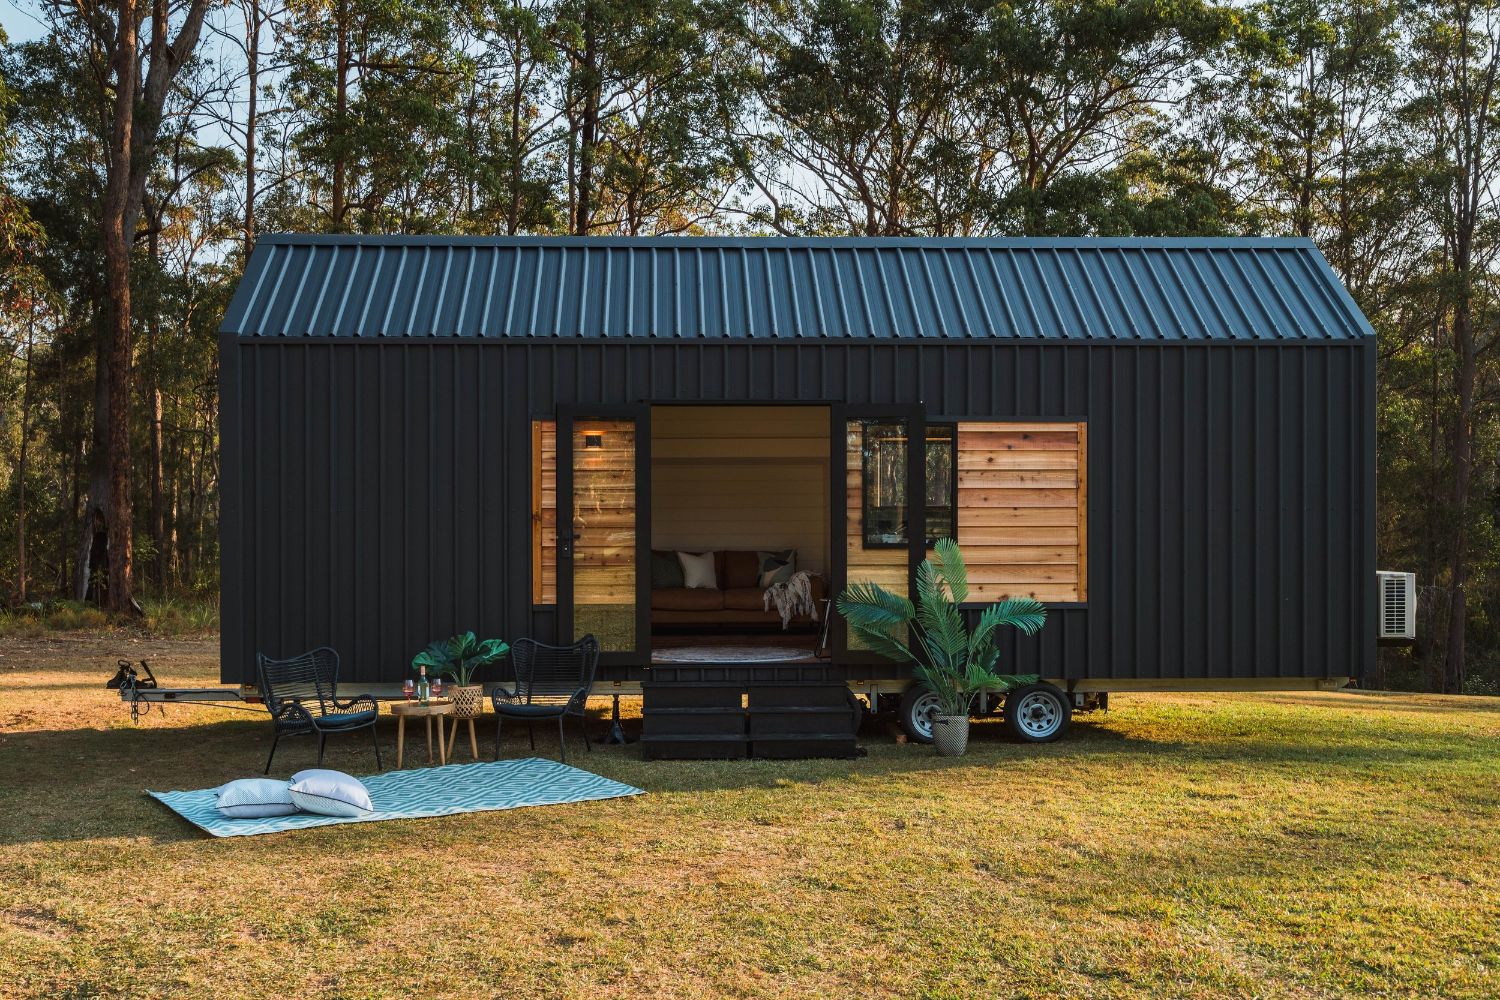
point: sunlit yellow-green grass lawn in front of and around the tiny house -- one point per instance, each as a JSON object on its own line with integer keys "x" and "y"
{"x": 1205, "y": 846}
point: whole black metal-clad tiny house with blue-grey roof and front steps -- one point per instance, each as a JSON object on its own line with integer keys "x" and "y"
{"x": 1171, "y": 443}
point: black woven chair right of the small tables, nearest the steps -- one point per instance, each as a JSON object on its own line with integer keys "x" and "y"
{"x": 551, "y": 683}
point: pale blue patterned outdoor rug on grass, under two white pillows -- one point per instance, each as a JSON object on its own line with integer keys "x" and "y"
{"x": 403, "y": 795}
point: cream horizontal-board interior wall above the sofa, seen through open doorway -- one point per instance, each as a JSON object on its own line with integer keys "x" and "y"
{"x": 742, "y": 478}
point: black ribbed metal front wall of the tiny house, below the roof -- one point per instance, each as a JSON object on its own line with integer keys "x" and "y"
{"x": 376, "y": 493}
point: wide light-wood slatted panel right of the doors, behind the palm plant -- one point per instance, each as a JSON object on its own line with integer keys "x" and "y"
{"x": 1022, "y": 509}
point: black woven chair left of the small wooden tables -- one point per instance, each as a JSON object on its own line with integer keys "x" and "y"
{"x": 304, "y": 698}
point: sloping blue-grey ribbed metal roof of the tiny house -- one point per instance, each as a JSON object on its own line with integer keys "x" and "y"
{"x": 761, "y": 287}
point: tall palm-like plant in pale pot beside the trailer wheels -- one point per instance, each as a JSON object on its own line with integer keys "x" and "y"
{"x": 952, "y": 659}
